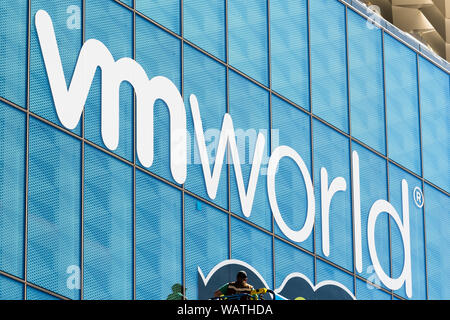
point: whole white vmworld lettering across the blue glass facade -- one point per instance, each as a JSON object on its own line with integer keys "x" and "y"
{"x": 69, "y": 103}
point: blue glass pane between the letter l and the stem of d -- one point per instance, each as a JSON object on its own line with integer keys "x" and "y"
{"x": 373, "y": 186}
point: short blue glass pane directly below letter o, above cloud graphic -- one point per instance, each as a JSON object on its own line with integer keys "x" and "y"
{"x": 289, "y": 260}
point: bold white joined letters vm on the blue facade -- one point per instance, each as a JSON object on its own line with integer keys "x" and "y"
{"x": 69, "y": 103}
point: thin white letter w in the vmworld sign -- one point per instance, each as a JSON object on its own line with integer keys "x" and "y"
{"x": 227, "y": 135}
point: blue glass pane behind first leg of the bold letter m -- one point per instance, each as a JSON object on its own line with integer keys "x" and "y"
{"x": 111, "y": 24}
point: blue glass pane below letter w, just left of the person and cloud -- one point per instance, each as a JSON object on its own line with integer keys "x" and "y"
{"x": 206, "y": 232}
